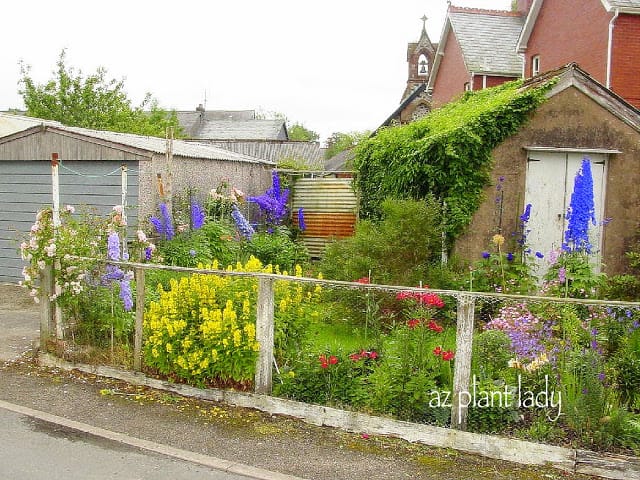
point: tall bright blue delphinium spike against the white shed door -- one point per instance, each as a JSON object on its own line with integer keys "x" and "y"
{"x": 581, "y": 211}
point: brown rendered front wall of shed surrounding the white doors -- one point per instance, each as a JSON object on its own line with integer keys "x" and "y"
{"x": 568, "y": 119}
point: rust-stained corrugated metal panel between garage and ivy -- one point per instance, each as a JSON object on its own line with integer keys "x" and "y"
{"x": 330, "y": 208}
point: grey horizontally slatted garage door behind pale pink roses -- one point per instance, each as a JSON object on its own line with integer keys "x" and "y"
{"x": 25, "y": 188}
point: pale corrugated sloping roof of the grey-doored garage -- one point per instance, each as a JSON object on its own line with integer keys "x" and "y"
{"x": 158, "y": 145}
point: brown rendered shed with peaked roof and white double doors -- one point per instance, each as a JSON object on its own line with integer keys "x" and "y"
{"x": 537, "y": 166}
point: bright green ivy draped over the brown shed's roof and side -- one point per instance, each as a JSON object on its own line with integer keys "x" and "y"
{"x": 446, "y": 153}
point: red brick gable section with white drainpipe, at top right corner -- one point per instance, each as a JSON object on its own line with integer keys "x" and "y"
{"x": 602, "y": 36}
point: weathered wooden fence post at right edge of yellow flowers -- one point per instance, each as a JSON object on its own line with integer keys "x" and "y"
{"x": 264, "y": 335}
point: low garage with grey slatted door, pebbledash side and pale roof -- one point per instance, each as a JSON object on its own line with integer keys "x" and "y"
{"x": 90, "y": 175}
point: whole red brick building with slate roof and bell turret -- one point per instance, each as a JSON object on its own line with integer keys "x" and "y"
{"x": 484, "y": 48}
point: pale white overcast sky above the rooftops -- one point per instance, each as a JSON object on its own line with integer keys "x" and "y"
{"x": 332, "y": 65}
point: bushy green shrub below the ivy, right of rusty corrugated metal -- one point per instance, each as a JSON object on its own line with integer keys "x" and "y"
{"x": 398, "y": 250}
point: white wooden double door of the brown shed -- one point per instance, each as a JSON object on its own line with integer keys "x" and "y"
{"x": 549, "y": 185}
